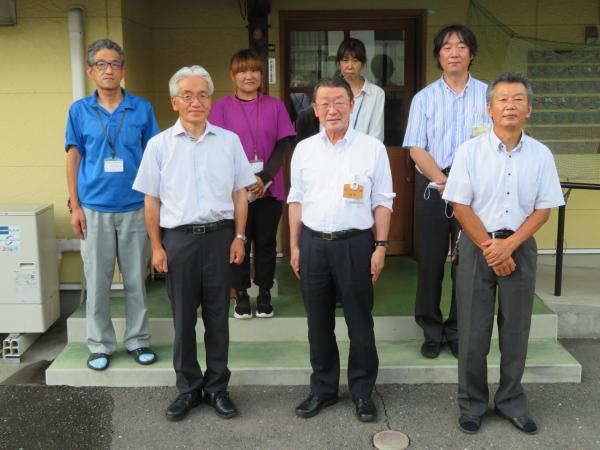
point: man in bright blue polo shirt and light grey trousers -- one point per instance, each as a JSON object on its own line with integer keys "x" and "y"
{"x": 105, "y": 139}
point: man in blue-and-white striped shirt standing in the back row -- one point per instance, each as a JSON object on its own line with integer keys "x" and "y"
{"x": 443, "y": 115}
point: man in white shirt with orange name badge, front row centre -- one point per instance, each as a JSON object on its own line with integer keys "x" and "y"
{"x": 341, "y": 186}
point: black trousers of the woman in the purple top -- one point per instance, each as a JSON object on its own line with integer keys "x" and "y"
{"x": 261, "y": 231}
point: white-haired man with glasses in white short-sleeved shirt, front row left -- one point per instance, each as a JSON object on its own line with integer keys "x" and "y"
{"x": 194, "y": 176}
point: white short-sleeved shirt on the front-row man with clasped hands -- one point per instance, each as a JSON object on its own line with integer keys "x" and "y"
{"x": 503, "y": 188}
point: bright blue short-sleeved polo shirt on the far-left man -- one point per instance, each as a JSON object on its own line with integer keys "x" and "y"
{"x": 110, "y": 191}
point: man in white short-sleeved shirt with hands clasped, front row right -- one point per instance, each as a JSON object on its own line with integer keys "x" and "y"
{"x": 502, "y": 186}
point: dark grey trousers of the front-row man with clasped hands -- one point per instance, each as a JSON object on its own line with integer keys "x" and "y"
{"x": 476, "y": 286}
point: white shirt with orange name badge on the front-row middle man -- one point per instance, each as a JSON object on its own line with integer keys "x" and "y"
{"x": 319, "y": 171}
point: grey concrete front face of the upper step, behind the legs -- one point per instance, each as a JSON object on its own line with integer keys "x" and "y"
{"x": 295, "y": 328}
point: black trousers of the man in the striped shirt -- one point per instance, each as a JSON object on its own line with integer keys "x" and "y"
{"x": 435, "y": 234}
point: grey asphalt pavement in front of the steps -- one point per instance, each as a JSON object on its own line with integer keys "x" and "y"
{"x": 35, "y": 416}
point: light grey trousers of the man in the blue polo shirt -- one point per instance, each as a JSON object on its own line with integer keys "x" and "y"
{"x": 120, "y": 236}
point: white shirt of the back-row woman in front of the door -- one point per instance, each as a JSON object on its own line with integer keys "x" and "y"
{"x": 367, "y": 115}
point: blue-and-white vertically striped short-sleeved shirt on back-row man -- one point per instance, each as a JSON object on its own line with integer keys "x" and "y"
{"x": 440, "y": 119}
